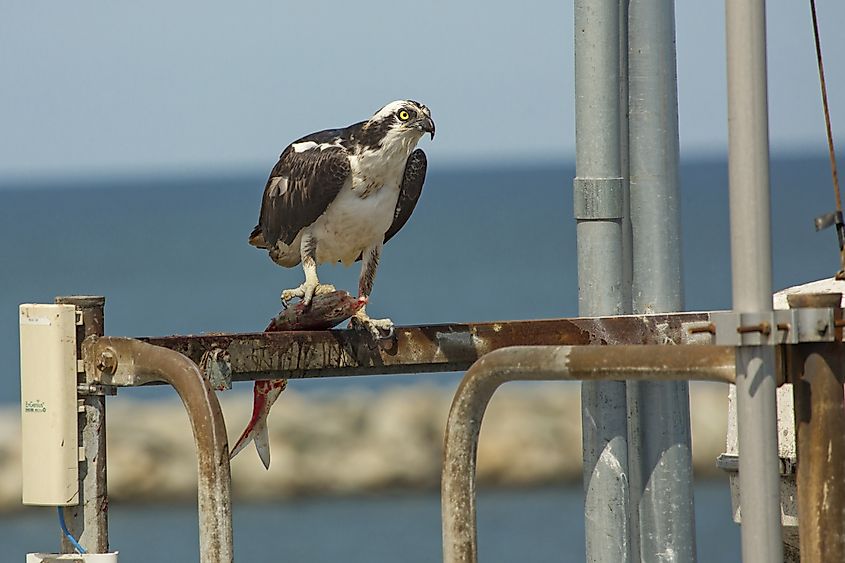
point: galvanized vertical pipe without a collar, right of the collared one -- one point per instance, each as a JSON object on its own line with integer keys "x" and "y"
{"x": 660, "y": 456}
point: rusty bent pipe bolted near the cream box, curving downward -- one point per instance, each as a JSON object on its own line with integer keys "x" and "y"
{"x": 122, "y": 360}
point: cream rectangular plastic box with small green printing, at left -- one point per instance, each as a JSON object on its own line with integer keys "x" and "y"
{"x": 49, "y": 414}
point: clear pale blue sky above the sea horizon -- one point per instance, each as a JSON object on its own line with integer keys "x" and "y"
{"x": 160, "y": 86}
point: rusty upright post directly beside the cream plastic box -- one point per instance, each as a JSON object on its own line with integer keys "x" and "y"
{"x": 88, "y": 521}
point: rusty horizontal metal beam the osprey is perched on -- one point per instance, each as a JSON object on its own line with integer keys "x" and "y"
{"x": 432, "y": 348}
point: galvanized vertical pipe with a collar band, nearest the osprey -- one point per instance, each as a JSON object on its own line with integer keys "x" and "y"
{"x": 598, "y": 195}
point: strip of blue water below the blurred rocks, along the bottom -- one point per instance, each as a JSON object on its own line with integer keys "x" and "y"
{"x": 533, "y": 526}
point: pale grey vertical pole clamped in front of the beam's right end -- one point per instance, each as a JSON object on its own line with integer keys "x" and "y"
{"x": 751, "y": 265}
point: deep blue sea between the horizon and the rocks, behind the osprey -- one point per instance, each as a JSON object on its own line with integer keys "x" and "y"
{"x": 491, "y": 243}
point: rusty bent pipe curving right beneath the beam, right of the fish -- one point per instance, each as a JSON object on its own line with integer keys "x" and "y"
{"x": 540, "y": 363}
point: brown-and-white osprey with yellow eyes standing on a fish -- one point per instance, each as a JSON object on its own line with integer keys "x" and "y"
{"x": 338, "y": 195}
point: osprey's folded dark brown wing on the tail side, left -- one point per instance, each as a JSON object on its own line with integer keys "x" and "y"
{"x": 299, "y": 190}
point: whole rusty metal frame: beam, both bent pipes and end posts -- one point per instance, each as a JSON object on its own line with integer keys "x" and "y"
{"x": 665, "y": 347}
